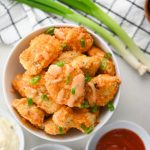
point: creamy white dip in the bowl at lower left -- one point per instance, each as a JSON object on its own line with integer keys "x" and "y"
{"x": 8, "y": 138}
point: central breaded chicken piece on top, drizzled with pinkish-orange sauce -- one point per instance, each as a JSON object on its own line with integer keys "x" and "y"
{"x": 65, "y": 84}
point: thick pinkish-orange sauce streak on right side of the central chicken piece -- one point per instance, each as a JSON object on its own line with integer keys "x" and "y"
{"x": 78, "y": 84}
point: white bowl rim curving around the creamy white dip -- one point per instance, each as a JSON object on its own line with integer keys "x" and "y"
{"x": 16, "y": 127}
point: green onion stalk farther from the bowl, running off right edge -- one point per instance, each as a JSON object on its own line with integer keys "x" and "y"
{"x": 94, "y": 10}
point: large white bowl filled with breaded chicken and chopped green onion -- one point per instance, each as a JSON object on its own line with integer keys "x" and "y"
{"x": 61, "y": 82}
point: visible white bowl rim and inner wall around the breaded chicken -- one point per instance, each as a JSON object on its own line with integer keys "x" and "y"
{"x": 13, "y": 67}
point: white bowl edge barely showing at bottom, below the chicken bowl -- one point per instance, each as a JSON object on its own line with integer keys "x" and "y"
{"x": 51, "y": 147}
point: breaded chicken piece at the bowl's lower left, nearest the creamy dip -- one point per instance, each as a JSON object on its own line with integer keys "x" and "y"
{"x": 31, "y": 113}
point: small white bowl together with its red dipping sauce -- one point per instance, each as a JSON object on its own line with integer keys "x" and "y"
{"x": 121, "y": 135}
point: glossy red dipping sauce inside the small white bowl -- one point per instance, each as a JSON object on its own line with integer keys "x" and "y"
{"x": 120, "y": 139}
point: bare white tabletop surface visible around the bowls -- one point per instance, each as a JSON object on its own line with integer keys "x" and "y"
{"x": 134, "y": 101}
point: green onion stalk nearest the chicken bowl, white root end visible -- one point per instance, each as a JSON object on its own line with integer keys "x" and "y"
{"x": 57, "y": 8}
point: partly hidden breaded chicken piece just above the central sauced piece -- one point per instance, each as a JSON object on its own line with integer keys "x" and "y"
{"x": 67, "y": 56}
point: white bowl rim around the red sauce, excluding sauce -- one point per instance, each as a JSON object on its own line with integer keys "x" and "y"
{"x": 91, "y": 145}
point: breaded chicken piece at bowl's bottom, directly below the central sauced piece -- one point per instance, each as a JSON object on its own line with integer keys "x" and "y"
{"x": 70, "y": 118}
